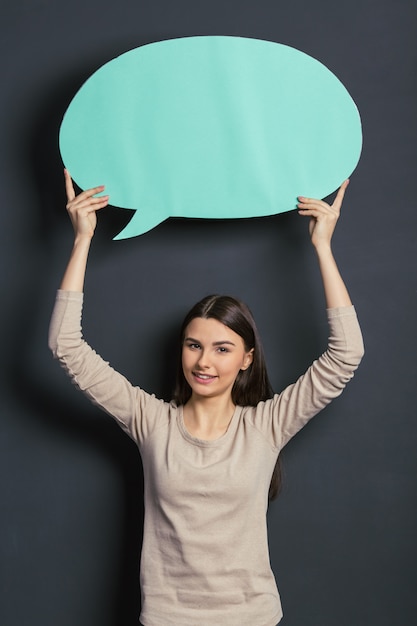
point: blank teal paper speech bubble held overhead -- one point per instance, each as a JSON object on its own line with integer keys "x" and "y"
{"x": 210, "y": 127}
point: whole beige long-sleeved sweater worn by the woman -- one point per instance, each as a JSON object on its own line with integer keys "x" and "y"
{"x": 205, "y": 559}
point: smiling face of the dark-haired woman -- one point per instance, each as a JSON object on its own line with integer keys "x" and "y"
{"x": 212, "y": 356}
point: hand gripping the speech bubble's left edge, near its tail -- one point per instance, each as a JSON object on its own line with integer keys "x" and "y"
{"x": 82, "y": 208}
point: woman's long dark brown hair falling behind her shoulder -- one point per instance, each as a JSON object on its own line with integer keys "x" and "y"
{"x": 251, "y": 385}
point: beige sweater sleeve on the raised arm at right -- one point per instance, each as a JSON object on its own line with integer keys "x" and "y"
{"x": 286, "y": 413}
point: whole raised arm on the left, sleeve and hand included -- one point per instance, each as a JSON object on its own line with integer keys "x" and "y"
{"x": 135, "y": 410}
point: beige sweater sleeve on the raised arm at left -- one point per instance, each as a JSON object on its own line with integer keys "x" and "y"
{"x": 135, "y": 410}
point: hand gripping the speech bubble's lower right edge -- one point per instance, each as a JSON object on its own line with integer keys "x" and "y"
{"x": 323, "y": 216}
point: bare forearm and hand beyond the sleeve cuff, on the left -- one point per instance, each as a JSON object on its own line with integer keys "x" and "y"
{"x": 82, "y": 211}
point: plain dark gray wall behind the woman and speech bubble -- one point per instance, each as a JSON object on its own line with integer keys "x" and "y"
{"x": 342, "y": 534}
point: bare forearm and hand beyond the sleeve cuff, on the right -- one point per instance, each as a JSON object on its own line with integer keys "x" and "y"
{"x": 323, "y": 219}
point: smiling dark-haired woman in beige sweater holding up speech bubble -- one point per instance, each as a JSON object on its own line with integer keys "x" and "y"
{"x": 209, "y": 455}
